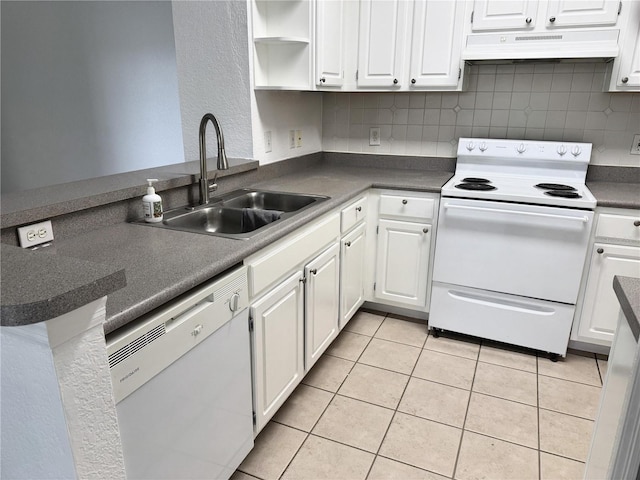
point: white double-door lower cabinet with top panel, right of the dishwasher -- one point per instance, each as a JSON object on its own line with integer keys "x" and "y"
{"x": 294, "y": 316}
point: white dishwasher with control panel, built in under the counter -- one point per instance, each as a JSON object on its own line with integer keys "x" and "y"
{"x": 182, "y": 384}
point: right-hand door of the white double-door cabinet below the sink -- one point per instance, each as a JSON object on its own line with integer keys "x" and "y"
{"x": 321, "y": 303}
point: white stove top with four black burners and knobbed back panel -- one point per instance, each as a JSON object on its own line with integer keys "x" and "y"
{"x": 541, "y": 173}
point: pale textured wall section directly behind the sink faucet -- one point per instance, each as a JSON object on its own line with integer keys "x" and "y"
{"x": 213, "y": 73}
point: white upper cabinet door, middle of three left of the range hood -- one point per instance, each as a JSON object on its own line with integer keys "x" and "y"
{"x": 381, "y": 50}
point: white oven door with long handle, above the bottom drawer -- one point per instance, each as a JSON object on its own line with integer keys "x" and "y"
{"x": 529, "y": 250}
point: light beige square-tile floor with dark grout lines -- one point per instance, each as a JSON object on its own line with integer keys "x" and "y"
{"x": 389, "y": 401}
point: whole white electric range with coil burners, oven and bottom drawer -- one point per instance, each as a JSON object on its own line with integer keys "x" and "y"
{"x": 512, "y": 236}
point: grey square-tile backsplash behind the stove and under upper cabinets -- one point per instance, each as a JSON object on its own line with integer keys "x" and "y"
{"x": 560, "y": 102}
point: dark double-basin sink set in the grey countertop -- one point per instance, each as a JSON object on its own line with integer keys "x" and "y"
{"x": 239, "y": 214}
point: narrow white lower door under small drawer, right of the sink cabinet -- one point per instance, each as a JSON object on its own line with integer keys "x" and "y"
{"x": 352, "y": 251}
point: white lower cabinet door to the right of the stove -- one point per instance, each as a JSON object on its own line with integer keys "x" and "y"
{"x": 600, "y": 308}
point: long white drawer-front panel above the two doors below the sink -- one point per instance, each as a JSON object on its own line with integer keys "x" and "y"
{"x": 271, "y": 265}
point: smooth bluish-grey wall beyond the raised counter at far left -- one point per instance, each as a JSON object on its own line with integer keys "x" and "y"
{"x": 88, "y": 89}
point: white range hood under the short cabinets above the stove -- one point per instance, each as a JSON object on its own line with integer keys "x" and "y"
{"x": 597, "y": 45}
